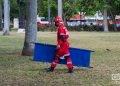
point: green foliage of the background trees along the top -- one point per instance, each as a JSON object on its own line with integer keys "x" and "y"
{"x": 70, "y": 7}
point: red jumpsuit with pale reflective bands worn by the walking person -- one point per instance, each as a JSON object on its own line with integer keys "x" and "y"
{"x": 63, "y": 51}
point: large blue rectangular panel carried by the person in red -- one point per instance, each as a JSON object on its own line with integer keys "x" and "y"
{"x": 46, "y": 53}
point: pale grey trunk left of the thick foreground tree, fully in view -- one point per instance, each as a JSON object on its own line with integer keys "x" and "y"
{"x": 6, "y": 17}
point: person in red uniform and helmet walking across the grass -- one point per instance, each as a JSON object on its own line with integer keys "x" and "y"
{"x": 62, "y": 48}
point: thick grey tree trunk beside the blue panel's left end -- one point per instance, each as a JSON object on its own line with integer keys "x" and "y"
{"x": 31, "y": 27}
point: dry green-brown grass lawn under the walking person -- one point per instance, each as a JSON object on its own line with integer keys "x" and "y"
{"x": 17, "y": 70}
